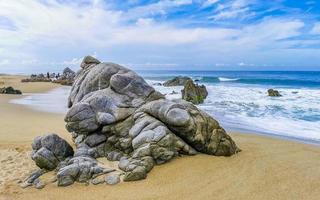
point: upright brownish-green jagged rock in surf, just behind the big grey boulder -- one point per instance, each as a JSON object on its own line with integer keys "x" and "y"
{"x": 194, "y": 93}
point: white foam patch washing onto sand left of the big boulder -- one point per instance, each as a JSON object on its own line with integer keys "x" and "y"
{"x": 54, "y": 101}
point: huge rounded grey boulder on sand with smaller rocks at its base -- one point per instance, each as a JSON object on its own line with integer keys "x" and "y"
{"x": 115, "y": 114}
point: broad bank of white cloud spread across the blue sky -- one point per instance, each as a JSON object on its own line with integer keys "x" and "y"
{"x": 55, "y": 33}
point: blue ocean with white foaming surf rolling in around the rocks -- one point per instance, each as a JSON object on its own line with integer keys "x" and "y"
{"x": 239, "y": 100}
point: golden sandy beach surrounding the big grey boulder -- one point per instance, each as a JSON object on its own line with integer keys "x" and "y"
{"x": 267, "y": 168}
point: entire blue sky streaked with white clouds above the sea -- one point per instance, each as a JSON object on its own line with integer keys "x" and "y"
{"x": 41, "y": 35}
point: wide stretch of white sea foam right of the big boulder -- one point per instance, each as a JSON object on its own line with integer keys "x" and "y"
{"x": 295, "y": 114}
